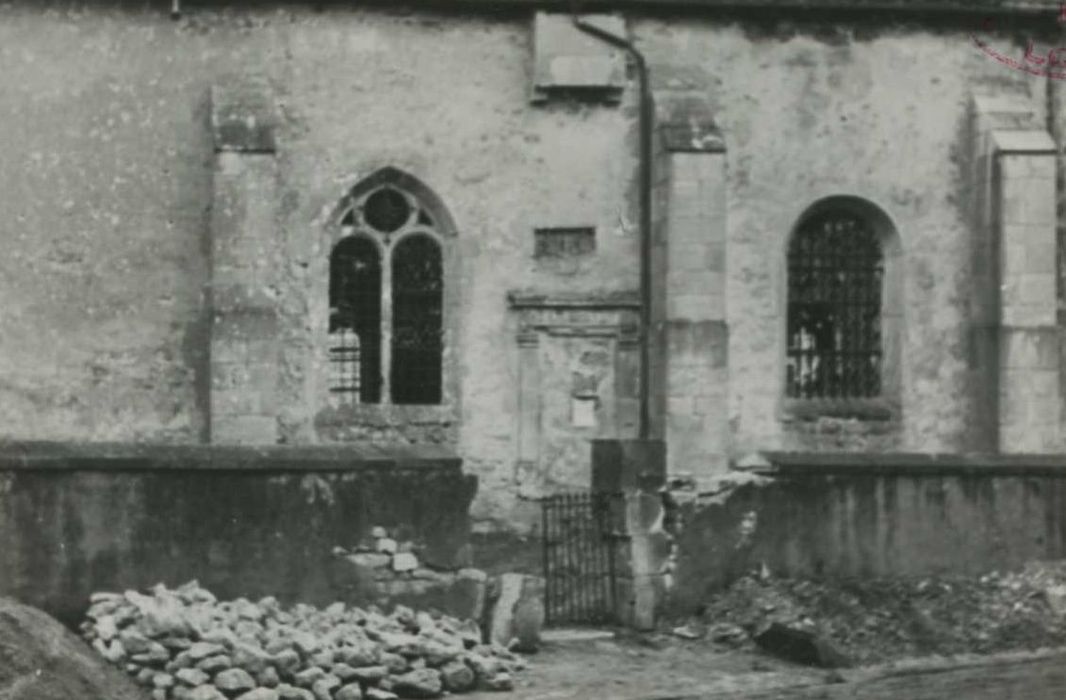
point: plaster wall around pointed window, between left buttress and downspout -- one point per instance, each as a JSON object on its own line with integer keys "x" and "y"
{"x": 502, "y": 168}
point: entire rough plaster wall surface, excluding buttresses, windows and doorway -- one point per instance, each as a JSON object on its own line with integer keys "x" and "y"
{"x": 107, "y": 186}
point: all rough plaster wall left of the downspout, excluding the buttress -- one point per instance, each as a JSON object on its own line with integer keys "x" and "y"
{"x": 109, "y": 197}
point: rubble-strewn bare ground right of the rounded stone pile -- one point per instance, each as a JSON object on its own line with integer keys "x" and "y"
{"x": 967, "y": 637}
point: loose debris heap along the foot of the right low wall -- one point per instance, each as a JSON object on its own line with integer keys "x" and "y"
{"x": 879, "y": 621}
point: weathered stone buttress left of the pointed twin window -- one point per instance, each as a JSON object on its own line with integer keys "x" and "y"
{"x": 245, "y": 259}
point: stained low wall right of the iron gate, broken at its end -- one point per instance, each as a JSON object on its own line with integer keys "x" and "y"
{"x": 843, "y": 515}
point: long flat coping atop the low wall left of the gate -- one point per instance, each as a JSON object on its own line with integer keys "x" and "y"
{"x": 110, "y": 457}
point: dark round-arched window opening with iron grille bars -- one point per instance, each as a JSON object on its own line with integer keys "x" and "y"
{"x": 834, "y": 310}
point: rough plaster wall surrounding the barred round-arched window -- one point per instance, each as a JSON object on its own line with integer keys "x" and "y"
{"x": 883, "y": 118}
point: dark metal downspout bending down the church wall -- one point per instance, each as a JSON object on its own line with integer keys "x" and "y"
{"x": 647, "y": 117}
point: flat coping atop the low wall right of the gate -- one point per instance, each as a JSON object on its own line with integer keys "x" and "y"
{"x": 933, "y": 465}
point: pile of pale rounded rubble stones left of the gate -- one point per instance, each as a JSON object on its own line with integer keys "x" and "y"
{"x": 186, "y": 645}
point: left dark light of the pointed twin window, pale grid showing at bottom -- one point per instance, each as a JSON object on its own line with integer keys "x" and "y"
{"x": 356, "y": 320}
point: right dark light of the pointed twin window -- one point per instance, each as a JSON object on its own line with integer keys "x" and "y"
{"x": 417, "y": 321}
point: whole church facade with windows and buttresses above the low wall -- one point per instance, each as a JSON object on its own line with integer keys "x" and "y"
{"x": 500, "y": 231}
